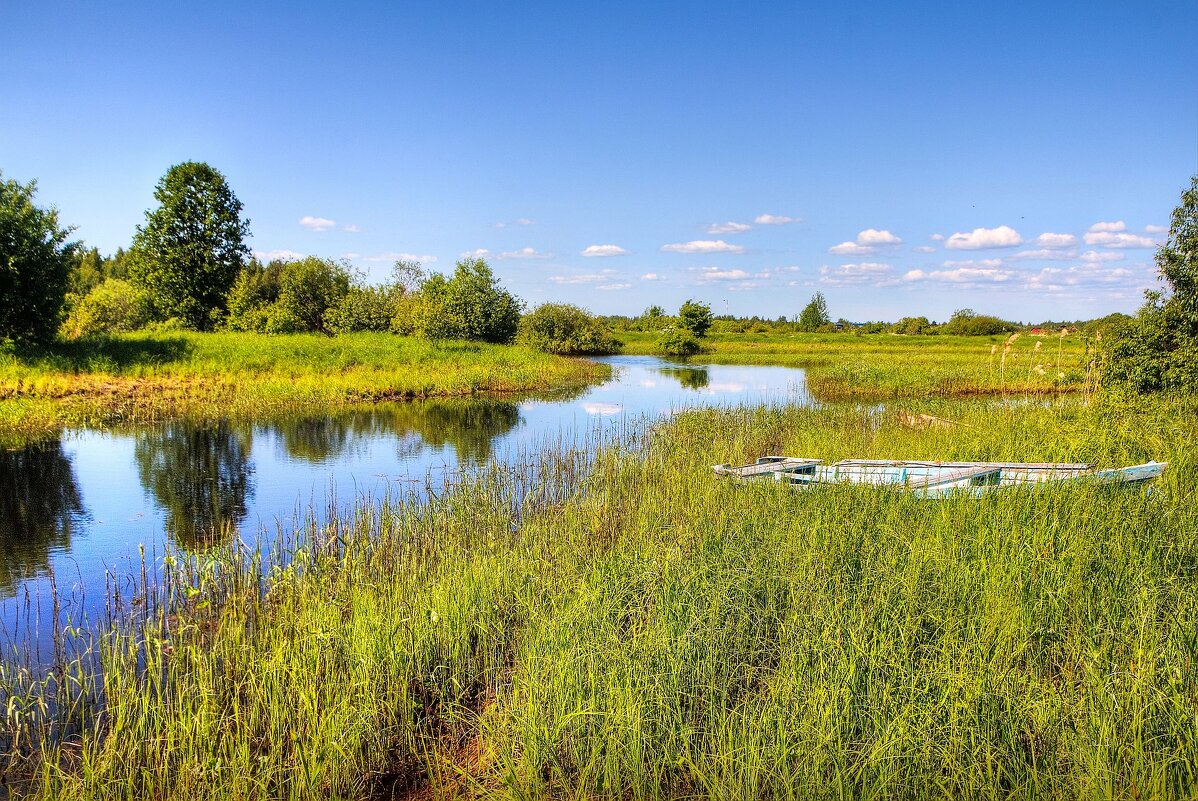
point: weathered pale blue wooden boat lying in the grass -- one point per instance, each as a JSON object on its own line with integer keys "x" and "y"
{"x": 935, "y": 480}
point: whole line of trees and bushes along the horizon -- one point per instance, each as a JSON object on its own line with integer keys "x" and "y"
{"x": 189, "y": 268}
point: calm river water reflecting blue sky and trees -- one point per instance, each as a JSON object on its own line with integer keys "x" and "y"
{"x": 84, "y": 505}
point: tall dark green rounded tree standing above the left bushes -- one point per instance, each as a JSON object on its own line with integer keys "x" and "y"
{"x": 192, "y": 247}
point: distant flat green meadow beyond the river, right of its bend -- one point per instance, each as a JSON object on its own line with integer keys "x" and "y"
{"x": 881, "y": 367}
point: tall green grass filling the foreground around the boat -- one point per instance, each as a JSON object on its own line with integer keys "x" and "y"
{"x": 644, "y": 630}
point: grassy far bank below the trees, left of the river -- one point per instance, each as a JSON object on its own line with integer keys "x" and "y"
{"x": 147, "y": 378}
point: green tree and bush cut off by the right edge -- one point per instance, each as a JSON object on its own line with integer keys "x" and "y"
{"x": 1159, "y": 349}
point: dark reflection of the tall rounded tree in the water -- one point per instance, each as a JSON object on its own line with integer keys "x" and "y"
{"x": 201, "y": 475}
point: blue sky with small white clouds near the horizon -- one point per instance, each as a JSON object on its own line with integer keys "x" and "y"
{"x": 903, "y": 159}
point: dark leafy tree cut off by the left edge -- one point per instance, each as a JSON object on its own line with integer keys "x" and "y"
{"x": 35, "y": 264}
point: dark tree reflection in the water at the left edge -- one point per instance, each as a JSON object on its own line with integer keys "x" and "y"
{"x": 40, "y": 506}
